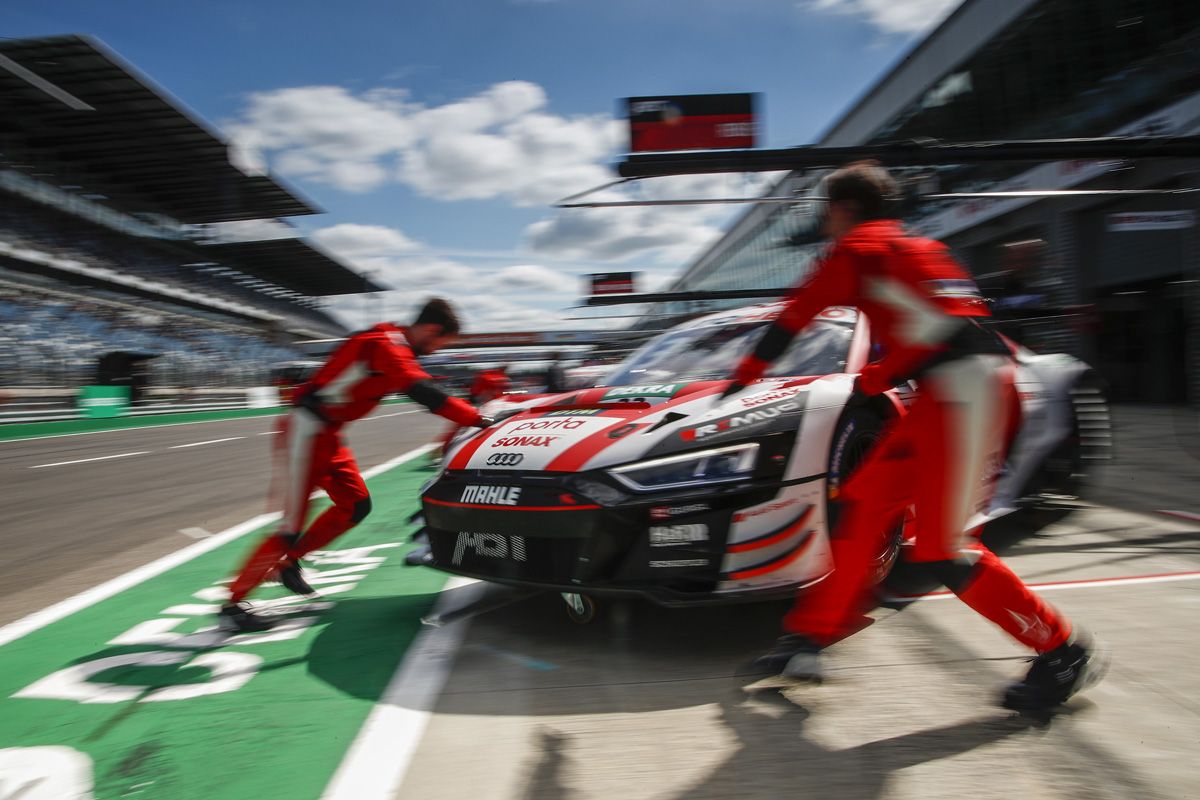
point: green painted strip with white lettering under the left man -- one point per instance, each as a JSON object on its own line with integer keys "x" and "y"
{"x": 134, "y": 699}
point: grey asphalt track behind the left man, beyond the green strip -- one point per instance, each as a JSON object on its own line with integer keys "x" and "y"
{"x": 68, "y": 527}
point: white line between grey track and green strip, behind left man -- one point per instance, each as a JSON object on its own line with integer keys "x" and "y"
{"x": 37, "y": 621}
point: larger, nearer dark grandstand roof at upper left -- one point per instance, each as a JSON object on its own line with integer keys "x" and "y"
{"x": 73, "y": 109}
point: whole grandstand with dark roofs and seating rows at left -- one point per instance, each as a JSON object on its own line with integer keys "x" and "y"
{"x": 110, "y": 197}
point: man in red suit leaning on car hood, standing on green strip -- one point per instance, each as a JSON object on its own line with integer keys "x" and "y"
{"x": 362, "y": 372}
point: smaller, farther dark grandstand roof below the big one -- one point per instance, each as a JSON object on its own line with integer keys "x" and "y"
{"x": 293, "y": 264}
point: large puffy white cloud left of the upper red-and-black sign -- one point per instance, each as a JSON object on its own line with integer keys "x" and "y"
{"x": 500, "y": 143}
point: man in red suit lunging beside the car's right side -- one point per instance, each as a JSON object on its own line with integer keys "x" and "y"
{"x": 941, "y": 458}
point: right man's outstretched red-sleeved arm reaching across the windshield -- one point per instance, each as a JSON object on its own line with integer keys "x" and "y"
{"x": 835, "y": 284}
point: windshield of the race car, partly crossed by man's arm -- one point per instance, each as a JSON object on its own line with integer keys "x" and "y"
{"x": 711, "y": 353}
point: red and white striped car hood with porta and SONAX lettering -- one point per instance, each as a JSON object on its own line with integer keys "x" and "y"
{"x": 617, "y": 425}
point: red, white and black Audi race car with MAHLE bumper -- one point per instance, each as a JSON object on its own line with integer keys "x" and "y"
{"x": 655, "y": 485}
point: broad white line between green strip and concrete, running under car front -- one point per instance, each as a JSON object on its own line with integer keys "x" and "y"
{"x": 376, "y": 763}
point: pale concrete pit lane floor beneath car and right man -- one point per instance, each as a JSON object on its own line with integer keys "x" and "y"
{"x": 656, "y": 703}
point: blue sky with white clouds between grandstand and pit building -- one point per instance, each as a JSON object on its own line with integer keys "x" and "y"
{"x": 437, "y": 134}
